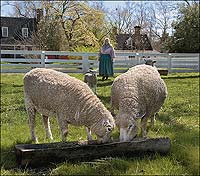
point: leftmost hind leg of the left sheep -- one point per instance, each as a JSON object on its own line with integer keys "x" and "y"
{"x": 31, "y": 113}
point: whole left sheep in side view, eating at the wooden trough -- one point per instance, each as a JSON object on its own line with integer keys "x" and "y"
{"x": 53, "y": 93}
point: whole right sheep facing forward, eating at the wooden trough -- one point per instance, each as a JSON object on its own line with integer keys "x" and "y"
{"x": 138, "y": 93}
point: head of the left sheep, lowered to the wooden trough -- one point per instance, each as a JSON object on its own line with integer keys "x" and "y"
{"x": 103, "y": 130}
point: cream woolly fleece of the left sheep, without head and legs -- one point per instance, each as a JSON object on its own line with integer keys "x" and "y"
{"x": 54, "y": 93}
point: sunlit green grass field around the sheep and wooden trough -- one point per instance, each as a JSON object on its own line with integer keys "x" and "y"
{"x": 179, "y": 120}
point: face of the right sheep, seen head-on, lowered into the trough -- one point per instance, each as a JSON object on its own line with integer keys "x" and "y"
{"x": 128, "y": 127}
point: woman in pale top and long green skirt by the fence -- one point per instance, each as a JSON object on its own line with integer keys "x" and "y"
{"x": 106, "y": 55}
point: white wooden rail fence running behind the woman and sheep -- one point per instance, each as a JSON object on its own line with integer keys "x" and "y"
{"x": 82, "y": 61}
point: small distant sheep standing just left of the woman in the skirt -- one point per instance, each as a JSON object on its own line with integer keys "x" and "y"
{"x": 91, "y": 79}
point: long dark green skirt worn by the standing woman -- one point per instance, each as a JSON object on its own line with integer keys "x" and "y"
{"x": 105, "y": 65}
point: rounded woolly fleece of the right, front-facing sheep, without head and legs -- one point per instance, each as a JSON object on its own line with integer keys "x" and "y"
{"x": 139, "y": 91}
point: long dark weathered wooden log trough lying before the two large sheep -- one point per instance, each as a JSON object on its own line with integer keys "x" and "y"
{"x": 39, "y": 155}
